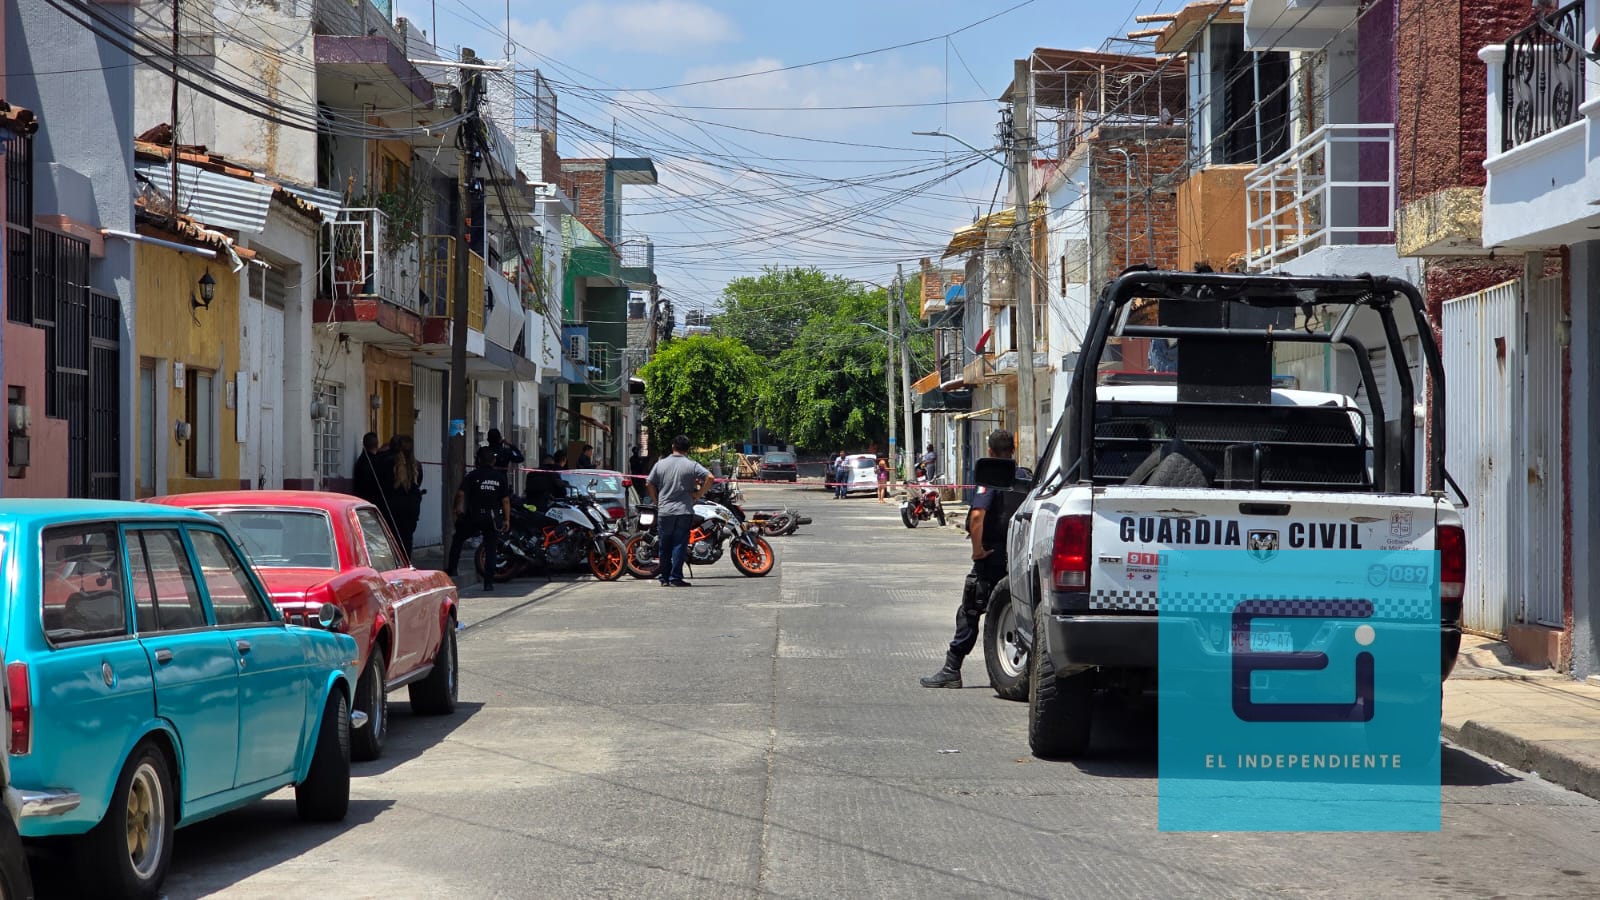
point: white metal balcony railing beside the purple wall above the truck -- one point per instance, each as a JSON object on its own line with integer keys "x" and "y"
{"x": 1335, "y": 187}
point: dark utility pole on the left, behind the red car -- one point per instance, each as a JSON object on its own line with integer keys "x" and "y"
{"x": 470, "y": 140}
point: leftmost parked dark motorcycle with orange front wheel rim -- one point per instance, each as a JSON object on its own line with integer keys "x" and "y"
{"x": 569, "y": 532}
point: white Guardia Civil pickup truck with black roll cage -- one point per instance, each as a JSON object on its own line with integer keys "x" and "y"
{"x": 1207, "y": 452}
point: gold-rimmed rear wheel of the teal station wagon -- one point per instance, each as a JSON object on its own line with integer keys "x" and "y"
{"x": 127, "y": 854}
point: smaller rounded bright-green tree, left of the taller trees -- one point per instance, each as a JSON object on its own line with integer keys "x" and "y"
{"x": 703, "y": 387}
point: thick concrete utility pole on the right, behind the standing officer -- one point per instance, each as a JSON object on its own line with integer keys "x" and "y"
{"x": 1023, "y": 255}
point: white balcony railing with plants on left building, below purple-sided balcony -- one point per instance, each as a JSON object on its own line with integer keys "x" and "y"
{"x": 361, "y": 260}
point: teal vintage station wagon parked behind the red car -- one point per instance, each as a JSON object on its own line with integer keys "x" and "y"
{"x": 153, "y": 685}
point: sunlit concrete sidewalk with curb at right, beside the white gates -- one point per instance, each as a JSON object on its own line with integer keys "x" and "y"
{"x": 1527, "y": 718}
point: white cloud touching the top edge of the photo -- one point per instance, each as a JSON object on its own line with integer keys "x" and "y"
{"x": 642, "y": 26}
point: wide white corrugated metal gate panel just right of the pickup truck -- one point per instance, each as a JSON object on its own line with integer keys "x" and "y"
{"x": 1482, "y": 393}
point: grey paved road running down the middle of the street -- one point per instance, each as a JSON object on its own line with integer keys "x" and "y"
{"x": 769, "y": 739}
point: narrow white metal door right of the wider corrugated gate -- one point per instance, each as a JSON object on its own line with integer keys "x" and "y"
{"x": 1542, "y": 448}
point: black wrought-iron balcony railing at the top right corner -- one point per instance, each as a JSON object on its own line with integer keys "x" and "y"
{"x": 1543, "y": 78}
